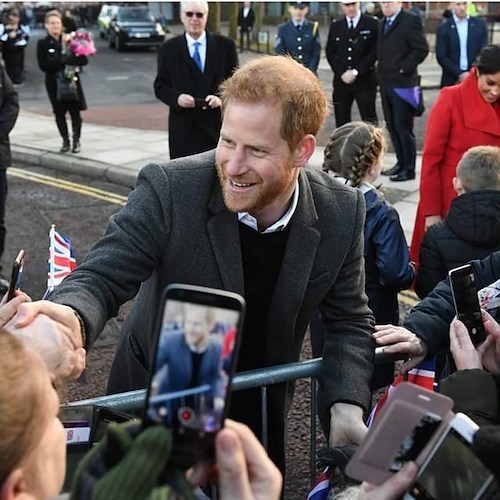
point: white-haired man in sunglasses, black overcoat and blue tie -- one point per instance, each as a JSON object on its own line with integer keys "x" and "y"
{"x": 190, "y": 68}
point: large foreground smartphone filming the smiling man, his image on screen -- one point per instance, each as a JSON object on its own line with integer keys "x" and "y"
{"x": 198, "y": 335}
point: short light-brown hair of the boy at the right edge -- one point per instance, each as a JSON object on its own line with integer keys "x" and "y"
{"x": 479, "y": 168}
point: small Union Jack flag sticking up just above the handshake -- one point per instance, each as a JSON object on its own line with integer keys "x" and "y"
{"x": 61, "y": 259}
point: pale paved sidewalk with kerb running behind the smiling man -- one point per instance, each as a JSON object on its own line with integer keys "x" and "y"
{"x": 118, "y": 153}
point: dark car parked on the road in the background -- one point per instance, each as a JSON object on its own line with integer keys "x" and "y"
{"x": 134, "y": 27}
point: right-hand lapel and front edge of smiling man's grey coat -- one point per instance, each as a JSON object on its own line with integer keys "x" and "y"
{"x": 300, "y": 252}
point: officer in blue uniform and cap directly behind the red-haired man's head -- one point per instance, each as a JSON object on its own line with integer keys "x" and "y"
{"x": 299, "y": 37}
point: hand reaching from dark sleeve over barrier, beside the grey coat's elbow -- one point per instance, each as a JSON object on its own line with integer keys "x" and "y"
{"x": 400, "y": 340}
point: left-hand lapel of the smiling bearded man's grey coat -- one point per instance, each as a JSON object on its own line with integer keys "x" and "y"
{"x": 224, "y": 235}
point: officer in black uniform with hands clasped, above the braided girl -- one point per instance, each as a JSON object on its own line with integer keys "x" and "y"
{"x": 351, "y": 52}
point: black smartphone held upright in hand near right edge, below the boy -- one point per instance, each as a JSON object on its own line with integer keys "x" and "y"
{"x": 463, "y": 289}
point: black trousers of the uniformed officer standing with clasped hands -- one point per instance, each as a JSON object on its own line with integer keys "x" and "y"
{"x": 343, "y": 97}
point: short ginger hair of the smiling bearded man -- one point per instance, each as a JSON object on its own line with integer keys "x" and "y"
{"x": 280, "y": 79}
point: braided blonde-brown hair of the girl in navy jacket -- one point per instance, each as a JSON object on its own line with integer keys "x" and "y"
{"x": 352, "y": 150}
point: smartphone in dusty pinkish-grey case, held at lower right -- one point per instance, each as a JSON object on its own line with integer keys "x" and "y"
{"x": 404, "y": 430}
